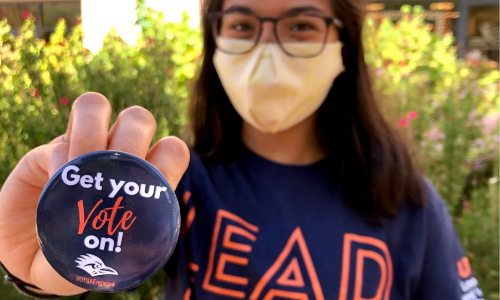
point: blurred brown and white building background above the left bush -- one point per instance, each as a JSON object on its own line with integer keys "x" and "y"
{"x": 98, "y": 16}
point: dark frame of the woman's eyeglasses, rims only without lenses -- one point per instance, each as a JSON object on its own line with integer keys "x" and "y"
{"x": 215, "y": 16}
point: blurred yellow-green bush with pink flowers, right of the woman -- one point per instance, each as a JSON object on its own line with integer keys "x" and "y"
{"x": 449, "y": 107}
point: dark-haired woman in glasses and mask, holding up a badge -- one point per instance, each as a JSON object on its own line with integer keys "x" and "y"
{"x": 297, "y": 188}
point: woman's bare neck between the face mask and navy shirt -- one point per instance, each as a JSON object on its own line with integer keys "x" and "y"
{"x": 298, "y": 145}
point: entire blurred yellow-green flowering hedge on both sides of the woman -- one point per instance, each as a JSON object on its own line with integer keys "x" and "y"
{"x": 447, "y": 106}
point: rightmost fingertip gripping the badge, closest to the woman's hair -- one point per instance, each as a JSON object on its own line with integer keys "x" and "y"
{"x": 170, "y": 156}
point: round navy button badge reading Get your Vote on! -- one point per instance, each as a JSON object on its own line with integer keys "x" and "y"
{"x": 107, "y": 221}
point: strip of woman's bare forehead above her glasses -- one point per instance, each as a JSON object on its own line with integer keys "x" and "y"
{"x": 274, "y": 8}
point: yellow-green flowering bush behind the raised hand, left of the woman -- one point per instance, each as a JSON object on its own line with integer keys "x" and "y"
{"x": 39, "y": 81}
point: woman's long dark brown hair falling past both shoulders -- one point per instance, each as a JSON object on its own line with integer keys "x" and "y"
{"x": 371, "y": 161}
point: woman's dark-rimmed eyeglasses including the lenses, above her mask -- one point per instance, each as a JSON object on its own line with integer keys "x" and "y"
{"x": 303, "y": 35}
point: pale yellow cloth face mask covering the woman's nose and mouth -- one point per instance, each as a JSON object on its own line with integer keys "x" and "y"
{"x": 273, "y": 91}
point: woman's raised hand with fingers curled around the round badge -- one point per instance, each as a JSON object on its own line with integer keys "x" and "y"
{"x": 87, "y": 132}
